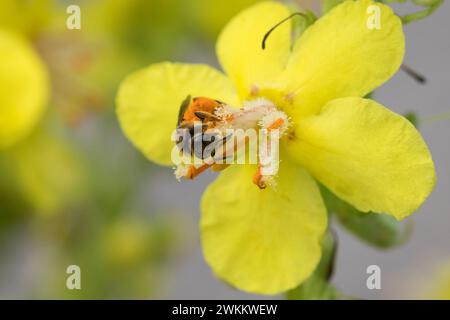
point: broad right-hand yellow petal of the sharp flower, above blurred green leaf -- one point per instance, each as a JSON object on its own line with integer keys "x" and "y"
{"x": 367, "y": 155}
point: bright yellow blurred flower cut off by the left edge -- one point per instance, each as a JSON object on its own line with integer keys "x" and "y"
{"x": 24, "y": 88}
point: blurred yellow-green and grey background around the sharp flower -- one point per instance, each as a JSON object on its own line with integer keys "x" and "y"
{"x": 74, "y": 191}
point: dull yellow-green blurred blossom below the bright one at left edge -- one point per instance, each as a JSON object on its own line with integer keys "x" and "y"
{"x": 47, "y": 172}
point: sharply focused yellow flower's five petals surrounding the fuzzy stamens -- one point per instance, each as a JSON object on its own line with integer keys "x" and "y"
{"x": 267, "y": 241}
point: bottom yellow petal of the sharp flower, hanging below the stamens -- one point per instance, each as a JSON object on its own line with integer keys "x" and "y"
{"x": 263, "y": 241}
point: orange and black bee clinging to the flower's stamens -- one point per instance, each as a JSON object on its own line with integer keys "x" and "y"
{"x": 199, "y": 111}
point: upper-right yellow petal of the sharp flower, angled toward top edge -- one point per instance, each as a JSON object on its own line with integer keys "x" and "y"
{"x": 340, "y": 56}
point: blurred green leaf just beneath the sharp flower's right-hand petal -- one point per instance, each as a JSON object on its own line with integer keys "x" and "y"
{"x": 379, "y": 230}
